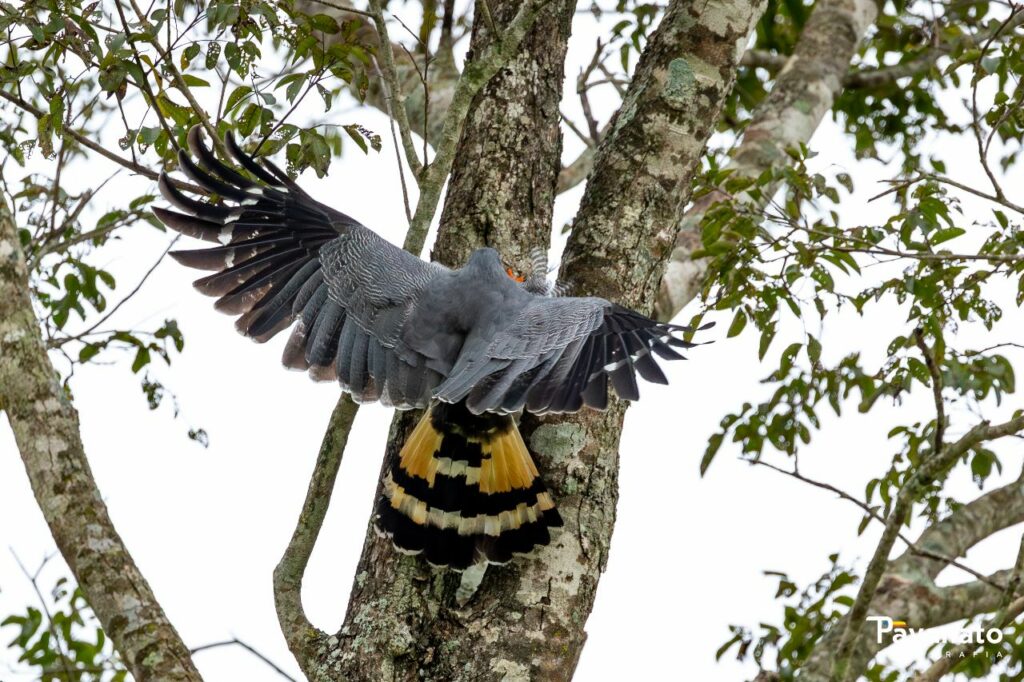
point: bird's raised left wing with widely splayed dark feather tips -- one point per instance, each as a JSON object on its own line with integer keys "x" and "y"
{"x": 284, "y": 257}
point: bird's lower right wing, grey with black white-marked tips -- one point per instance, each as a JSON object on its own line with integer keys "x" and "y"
{"x": 560, "y": 355}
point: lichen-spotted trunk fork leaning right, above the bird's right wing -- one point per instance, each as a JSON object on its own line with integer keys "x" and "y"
{"x": 641, "y": 184}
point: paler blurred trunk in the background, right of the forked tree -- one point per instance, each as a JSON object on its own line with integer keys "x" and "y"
{"x": 804, "y": 92}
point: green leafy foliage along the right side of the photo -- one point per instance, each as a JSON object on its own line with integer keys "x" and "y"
{"x": 806, "y": 258}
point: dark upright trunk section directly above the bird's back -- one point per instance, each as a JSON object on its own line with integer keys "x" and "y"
{"x": 502, "y": 191}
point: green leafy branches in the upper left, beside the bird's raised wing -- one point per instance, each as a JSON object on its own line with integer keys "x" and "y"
{"x": 75, "y": 71}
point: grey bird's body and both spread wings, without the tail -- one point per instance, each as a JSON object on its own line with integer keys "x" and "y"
{"x": 388, "y": 325}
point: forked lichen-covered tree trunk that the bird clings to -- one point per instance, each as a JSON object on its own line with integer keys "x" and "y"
{"x": 527, "y": 621}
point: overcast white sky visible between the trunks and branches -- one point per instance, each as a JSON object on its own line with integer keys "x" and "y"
{"x": 207, "y": 527}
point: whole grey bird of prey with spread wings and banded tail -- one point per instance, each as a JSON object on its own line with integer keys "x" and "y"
{"x": 473, "y": 346}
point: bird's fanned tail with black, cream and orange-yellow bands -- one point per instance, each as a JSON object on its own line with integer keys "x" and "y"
{"x": 464, "y": 490}
